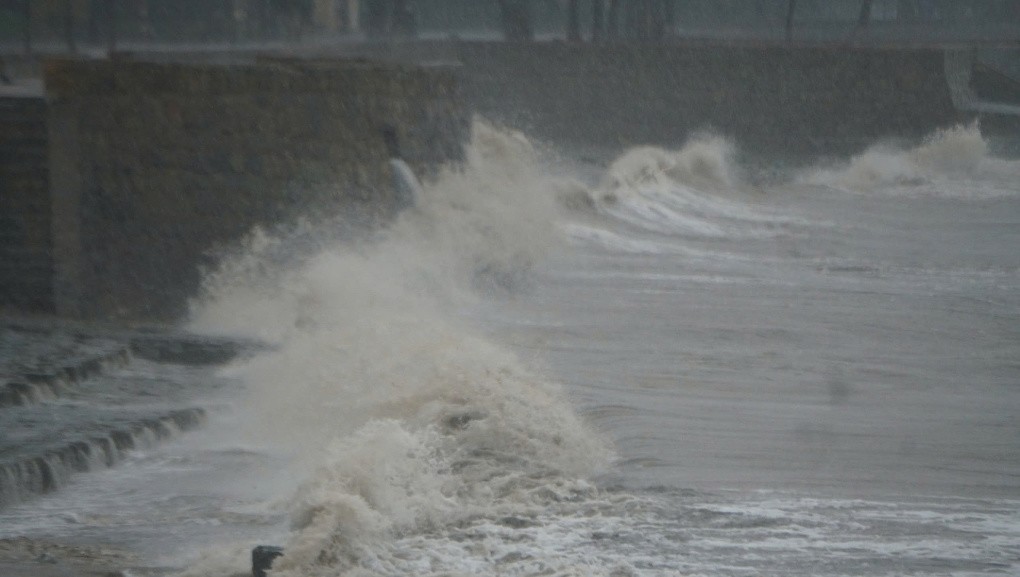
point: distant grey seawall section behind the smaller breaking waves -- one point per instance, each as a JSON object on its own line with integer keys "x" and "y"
{"x": 799, "y": 100}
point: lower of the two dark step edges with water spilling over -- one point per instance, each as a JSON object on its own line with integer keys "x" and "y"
{"x": 26, "y": 474}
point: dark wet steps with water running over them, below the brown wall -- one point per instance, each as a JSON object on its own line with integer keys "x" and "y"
{"x": 75, "y": 401}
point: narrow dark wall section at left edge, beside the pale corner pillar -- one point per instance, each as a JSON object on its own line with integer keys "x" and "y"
{"x": 26, "y": 261}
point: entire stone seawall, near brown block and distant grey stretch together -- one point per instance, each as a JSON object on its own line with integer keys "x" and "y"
{"x": 152, "y": 165}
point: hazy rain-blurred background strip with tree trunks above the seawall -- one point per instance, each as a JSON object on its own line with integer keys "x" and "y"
{"x": 74, "y": 26}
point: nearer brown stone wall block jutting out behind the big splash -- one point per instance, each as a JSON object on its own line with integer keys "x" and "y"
{"x": 154, "y": 165}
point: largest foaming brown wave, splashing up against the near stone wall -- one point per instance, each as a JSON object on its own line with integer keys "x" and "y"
{"x": 398, "y": 415}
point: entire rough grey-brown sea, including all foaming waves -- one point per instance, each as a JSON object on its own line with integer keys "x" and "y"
{"x": 666, "y": 364}
